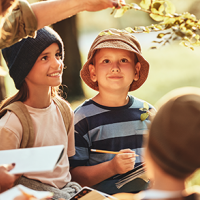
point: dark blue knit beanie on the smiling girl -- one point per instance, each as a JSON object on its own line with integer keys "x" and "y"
{"x": 21, "y": 56}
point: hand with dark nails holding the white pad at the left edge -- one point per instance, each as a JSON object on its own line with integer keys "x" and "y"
{"x": 6, "y": 179}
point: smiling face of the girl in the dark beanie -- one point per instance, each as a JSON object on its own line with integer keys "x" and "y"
{"x": 47, "y": 70}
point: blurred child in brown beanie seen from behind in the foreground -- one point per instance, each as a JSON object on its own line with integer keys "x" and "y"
{"x": 172, "y": 147}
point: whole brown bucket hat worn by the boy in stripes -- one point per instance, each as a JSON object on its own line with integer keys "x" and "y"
{"x": 117, "y": 39}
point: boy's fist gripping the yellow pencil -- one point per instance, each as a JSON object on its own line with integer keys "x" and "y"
{"x": 123, "y": 162}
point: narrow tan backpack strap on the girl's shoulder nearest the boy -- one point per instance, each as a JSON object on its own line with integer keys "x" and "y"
{"x": 65, "y": 111}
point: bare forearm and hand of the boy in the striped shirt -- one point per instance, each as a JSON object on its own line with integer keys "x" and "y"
{"x": 92, "y": 175}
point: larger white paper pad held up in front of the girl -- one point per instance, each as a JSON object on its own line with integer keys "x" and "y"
{"x": 32, "y": 160}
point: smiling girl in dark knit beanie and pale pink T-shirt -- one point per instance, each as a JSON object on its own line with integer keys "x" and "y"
{"x": 36, "y": 67}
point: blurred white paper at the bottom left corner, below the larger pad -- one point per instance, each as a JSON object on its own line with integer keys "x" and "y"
{"x": 15, "y": 191}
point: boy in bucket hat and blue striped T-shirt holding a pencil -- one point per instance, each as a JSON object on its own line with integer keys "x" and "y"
{"x": 110, "y": 120}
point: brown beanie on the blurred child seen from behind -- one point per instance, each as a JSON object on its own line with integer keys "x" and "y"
{"x": 174, "y": 134}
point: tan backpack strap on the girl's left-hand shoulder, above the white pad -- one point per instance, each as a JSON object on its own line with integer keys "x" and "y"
{"x": 20, "y": 110}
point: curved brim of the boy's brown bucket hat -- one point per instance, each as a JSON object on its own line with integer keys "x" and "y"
{"x": 116, "y": 44}
